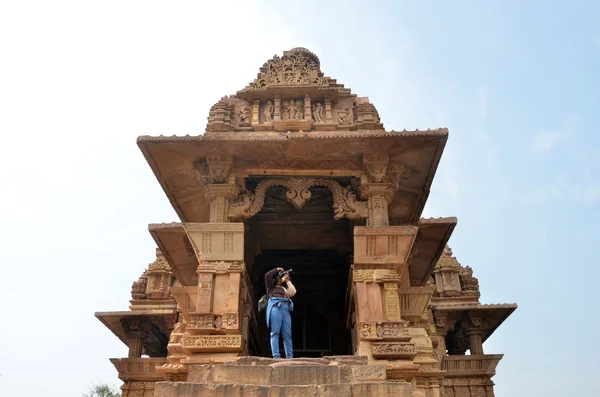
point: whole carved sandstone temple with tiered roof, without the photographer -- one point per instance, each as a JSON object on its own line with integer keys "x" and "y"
{"x": 295, "y": 171}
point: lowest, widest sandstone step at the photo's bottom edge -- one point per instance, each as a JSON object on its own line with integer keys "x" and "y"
{"x": 187, "y": 389}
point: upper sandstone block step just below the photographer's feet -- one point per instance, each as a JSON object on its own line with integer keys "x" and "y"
{"x": 286, "y": 373}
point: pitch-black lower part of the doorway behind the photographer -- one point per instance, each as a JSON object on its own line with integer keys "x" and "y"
{"x": 318, "y": 320}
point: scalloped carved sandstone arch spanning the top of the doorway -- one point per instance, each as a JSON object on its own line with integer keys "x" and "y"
{"x": 345, "y": 204}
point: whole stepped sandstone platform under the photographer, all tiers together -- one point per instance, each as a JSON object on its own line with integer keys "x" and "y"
{"x": 306, "y": 377}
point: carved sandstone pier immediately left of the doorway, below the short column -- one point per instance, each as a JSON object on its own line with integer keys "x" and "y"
{"x": 213, "y": 332}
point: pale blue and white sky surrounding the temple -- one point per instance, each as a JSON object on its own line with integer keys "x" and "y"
{"x": 516, "y": 82}
